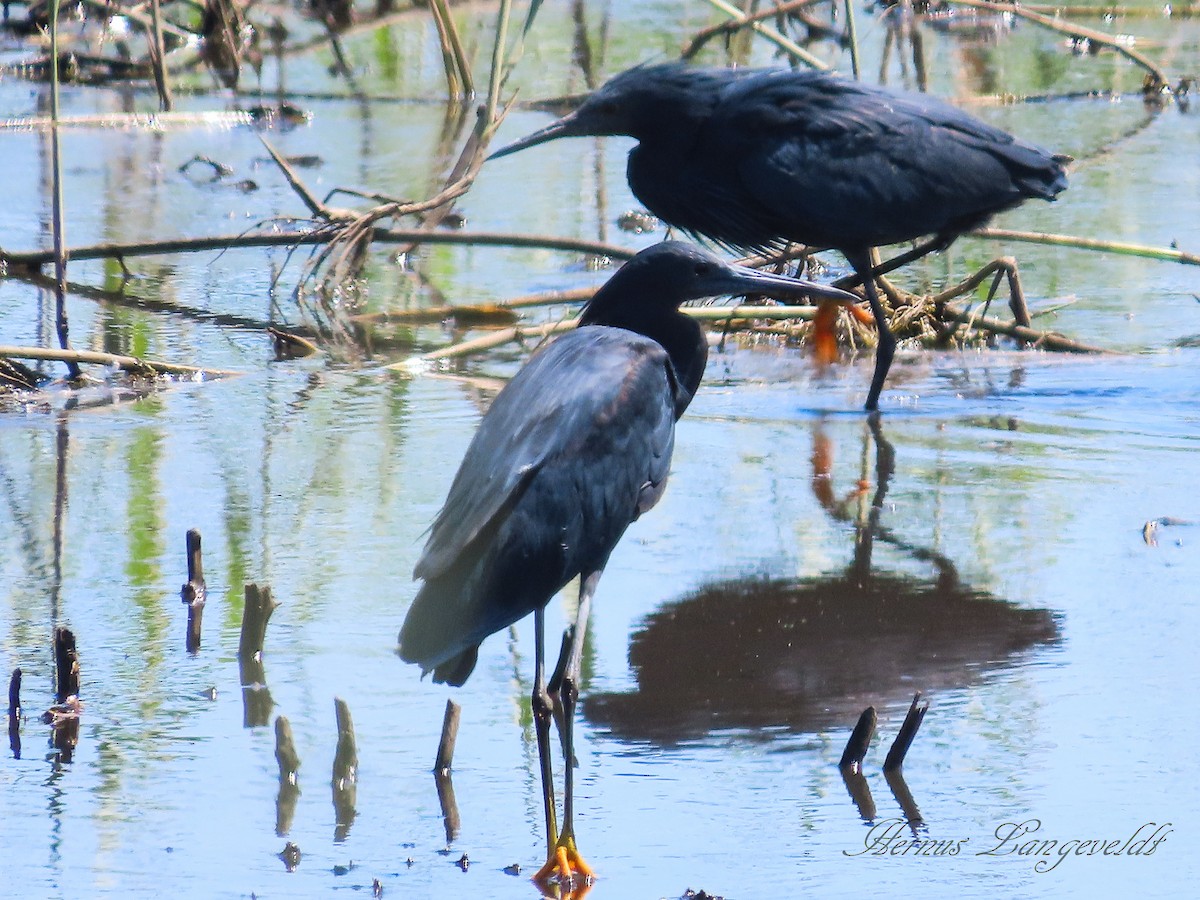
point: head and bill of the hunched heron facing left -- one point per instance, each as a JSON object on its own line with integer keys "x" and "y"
{"x": 644, "y": 103}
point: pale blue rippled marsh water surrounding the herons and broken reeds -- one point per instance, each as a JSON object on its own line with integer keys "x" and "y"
{"x": 741, "y": 627}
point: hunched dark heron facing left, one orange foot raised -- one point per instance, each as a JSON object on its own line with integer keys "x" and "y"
{"x": 753, "y": 159}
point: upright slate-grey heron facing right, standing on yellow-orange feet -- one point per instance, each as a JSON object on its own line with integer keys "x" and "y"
{"x": 574, "y": 449}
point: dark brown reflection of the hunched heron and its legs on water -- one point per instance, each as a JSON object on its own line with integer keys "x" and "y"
{"x": 811, "y": 655}
